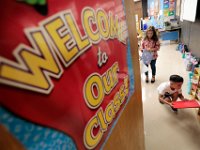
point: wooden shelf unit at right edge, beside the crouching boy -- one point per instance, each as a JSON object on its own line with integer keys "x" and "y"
{"x": 195, "y": 86}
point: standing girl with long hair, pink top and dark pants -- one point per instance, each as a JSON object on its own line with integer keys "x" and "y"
{"x": 151, "y": 43}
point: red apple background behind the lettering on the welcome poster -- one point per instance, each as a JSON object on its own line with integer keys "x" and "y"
{"x": 64, "y": 108}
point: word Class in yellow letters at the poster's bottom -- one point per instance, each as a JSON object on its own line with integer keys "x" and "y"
{"x": 103, "y": 119}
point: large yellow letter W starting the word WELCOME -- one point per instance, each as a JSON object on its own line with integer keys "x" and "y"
{"x": 36, "y": 67}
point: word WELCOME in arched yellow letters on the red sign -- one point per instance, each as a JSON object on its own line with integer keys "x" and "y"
{"x": 57, "y": 40}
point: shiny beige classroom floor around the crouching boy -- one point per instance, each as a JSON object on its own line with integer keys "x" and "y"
{"x": 164, "y": 129}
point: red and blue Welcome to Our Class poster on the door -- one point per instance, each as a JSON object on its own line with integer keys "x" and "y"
{"x": 65, "y": 71}
